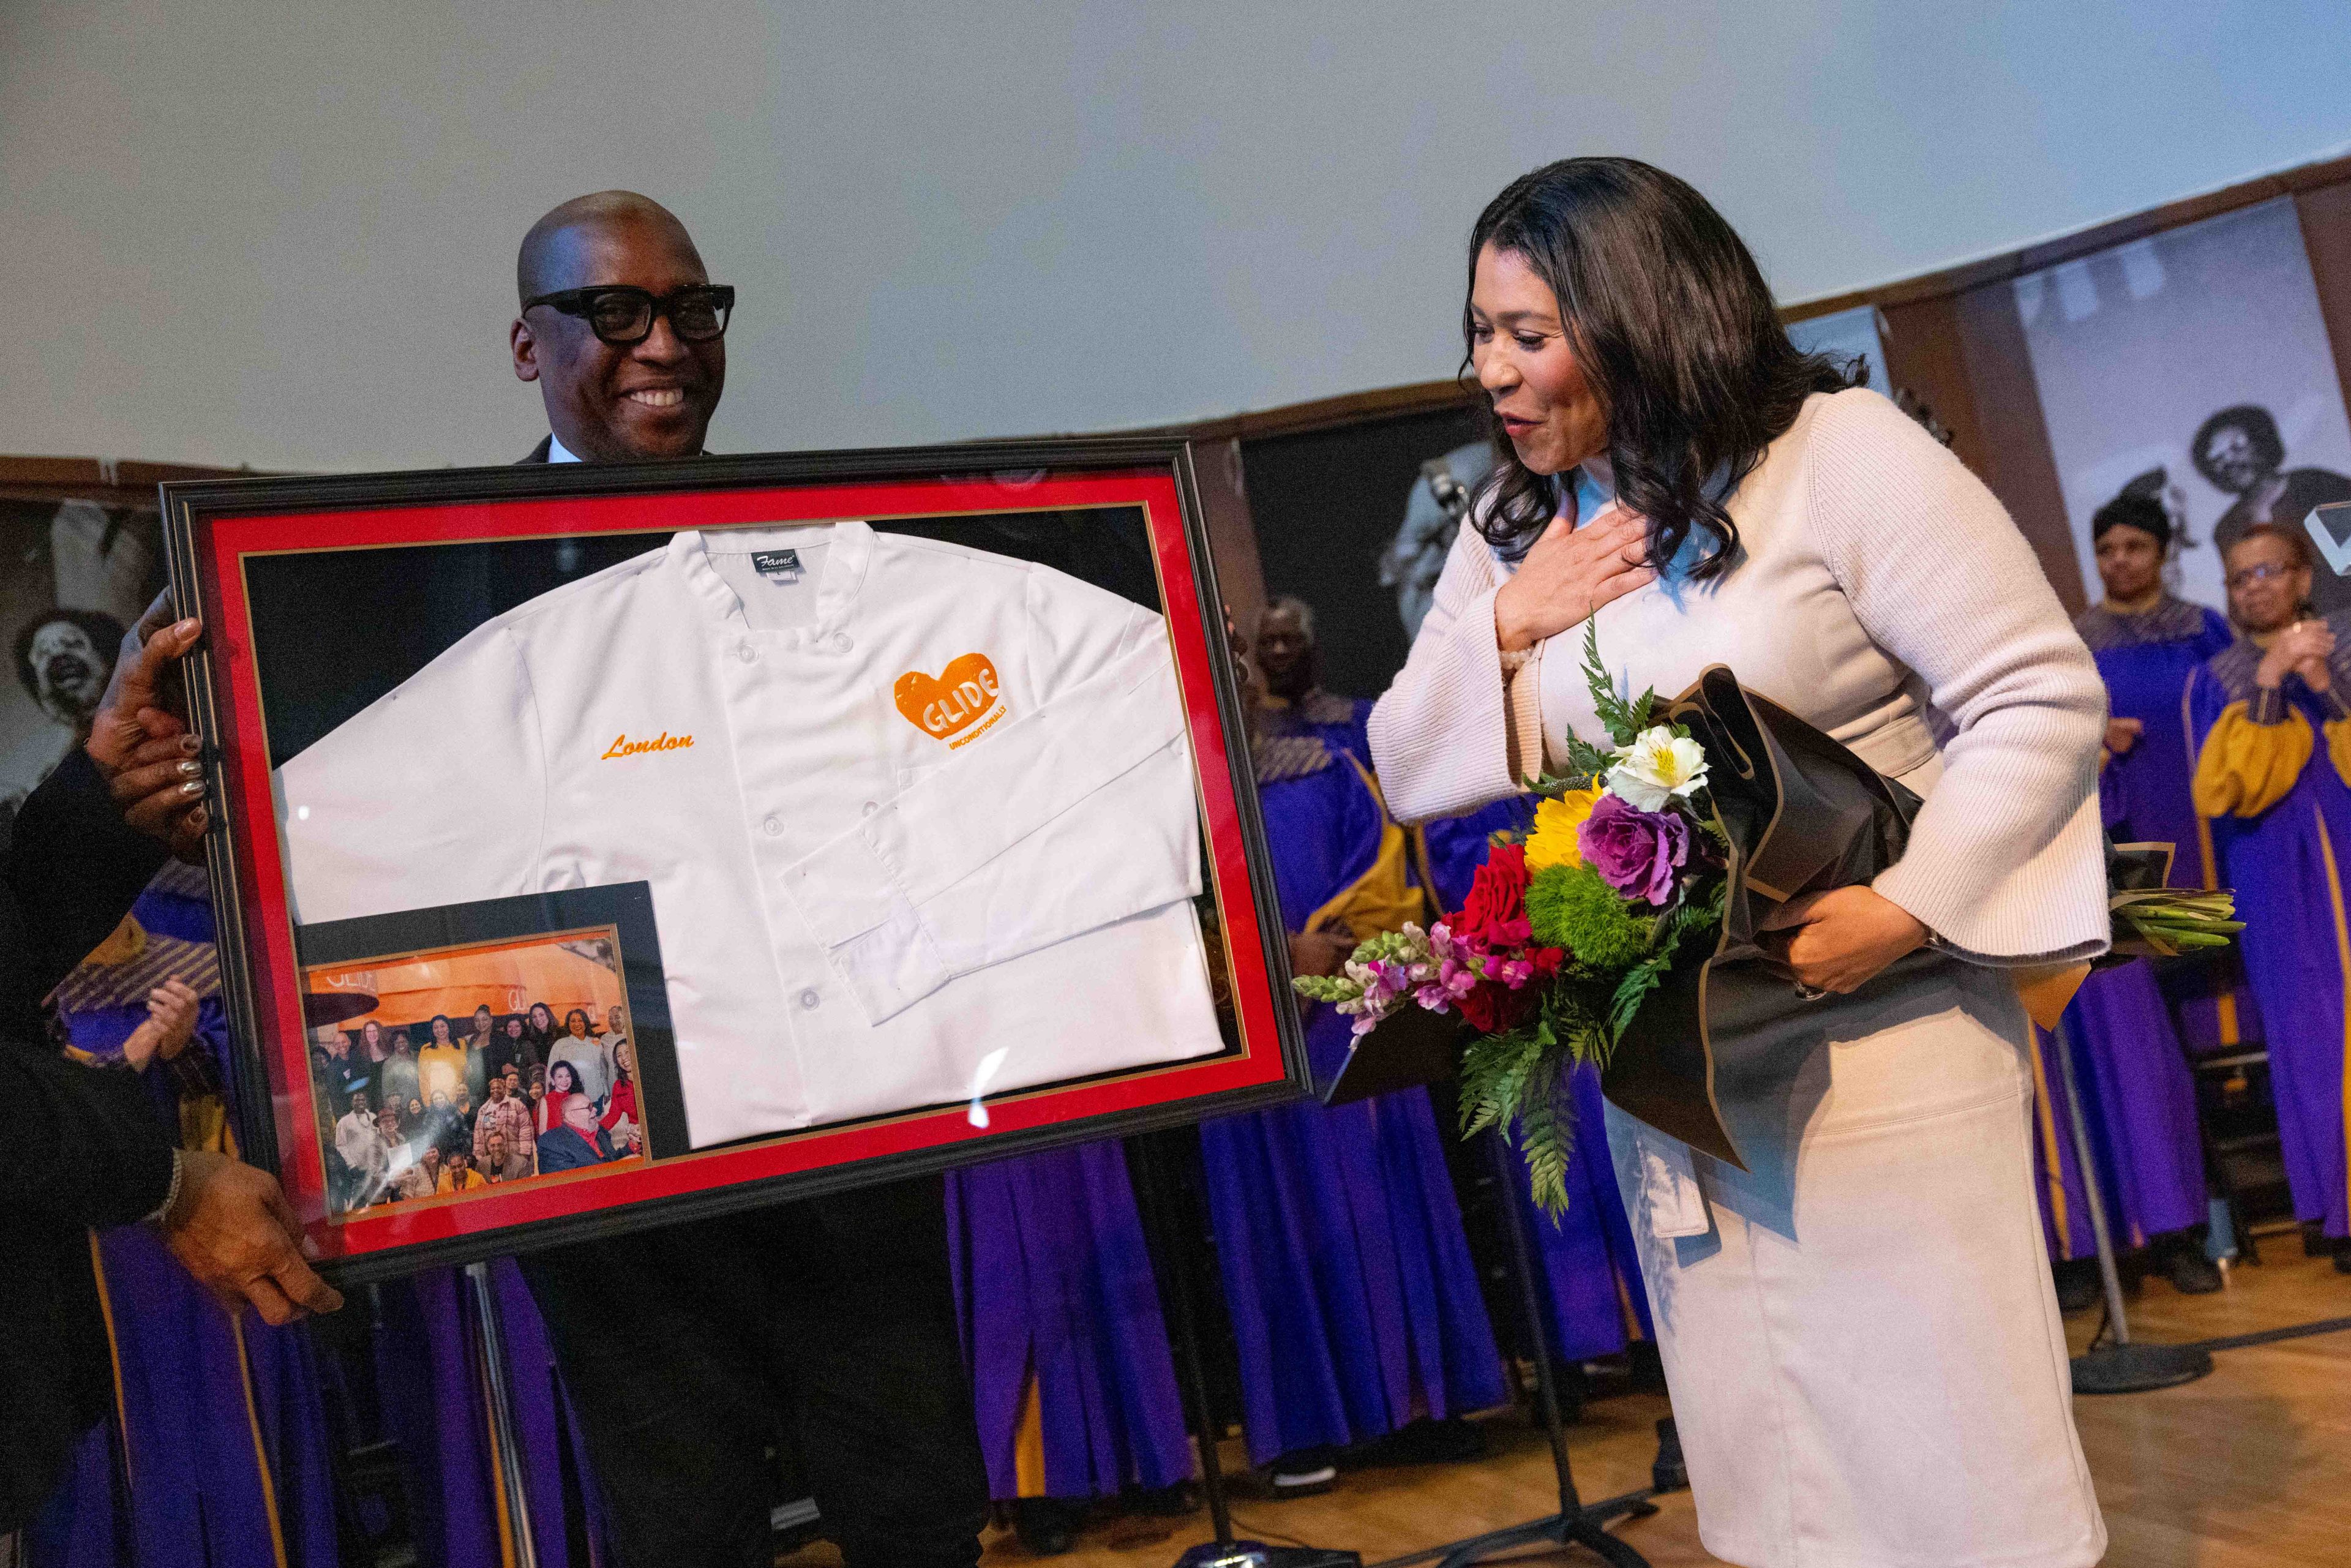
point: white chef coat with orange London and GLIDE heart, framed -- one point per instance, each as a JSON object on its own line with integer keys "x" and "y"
{"x": 873, "y": 890}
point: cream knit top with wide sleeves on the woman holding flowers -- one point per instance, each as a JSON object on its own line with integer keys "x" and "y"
{"x": 1884, "y": 596}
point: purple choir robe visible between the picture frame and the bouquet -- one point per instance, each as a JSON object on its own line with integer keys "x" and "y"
{"x": 1355, "y": 1306}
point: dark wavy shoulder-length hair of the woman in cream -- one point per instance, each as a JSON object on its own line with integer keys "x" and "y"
{"x": 1677, "y": 335}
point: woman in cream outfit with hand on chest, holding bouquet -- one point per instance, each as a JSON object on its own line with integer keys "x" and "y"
{"x": 1858, "y": 1332}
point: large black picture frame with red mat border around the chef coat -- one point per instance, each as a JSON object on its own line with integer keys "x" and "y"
{"x": 1250, "y": 920}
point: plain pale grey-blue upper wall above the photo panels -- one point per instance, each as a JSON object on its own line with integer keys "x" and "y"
{"x": 281, "y": 234}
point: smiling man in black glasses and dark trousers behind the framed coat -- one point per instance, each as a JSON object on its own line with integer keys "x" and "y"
{"x": 695, "y": 1351}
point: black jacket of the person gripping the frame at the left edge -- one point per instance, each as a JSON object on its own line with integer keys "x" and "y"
{"x": 83, "y": 1146}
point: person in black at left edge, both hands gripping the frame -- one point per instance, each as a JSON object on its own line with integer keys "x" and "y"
{"x": 86, "y": 1148}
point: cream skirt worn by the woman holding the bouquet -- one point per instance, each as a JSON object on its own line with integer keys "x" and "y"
{"x": 1858, "y": 1332}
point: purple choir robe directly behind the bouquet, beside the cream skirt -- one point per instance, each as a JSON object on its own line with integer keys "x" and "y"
{"x": 1590, "y": 1278}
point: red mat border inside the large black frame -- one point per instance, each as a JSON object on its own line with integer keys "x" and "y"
{"x": 272, "y": 939}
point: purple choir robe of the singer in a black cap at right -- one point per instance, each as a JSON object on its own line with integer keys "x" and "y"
{"x": 2138, "y": 1097}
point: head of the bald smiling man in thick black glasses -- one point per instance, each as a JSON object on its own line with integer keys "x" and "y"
{"x": 622, "y": 330}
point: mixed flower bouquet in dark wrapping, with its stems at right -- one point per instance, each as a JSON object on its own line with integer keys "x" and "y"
{"x": 1647, "y": 866}
